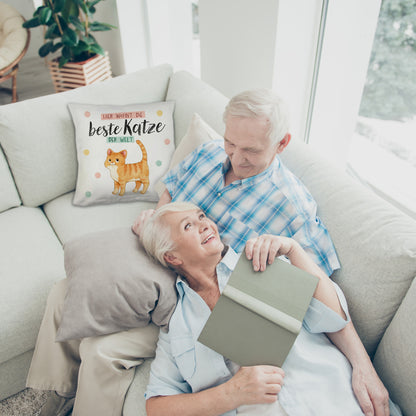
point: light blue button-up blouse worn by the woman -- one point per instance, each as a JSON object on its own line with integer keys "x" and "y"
{"x": 317, "y": 375}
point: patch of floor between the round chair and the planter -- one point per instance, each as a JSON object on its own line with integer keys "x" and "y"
{"x": 33, "y": 80}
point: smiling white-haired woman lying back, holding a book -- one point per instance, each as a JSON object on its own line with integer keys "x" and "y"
{"x": 187, "y": 378}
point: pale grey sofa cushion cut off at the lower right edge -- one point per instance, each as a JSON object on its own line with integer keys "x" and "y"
{"x": 394, "y": 359}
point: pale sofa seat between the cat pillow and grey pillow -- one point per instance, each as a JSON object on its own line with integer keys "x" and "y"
{"x": 70, "y": 221}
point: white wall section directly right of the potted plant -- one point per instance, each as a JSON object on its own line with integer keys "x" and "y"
{"x": 152, "y": 32}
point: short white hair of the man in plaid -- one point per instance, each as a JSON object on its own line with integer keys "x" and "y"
{"x": 261, "y": 103}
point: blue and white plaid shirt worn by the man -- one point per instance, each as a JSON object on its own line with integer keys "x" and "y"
{"x": 273, "y": 202}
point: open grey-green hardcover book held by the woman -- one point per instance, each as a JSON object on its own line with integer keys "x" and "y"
{"x": 259, "y": 314}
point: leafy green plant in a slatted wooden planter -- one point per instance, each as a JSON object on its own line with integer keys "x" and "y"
{"x": 68, "y": 30}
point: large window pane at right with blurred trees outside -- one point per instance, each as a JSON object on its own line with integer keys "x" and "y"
{"x": 383, "y": 147}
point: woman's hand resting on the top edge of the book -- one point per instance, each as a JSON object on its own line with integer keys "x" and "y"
{"x": 264, "y": 249}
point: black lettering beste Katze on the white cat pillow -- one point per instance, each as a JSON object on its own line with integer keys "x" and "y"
{"x": 128, "y": 128}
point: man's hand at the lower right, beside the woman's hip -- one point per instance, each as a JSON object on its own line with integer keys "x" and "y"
{"x": 370, "y": 392}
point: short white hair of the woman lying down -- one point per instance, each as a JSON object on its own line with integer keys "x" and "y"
{"x": 155, "y": 234}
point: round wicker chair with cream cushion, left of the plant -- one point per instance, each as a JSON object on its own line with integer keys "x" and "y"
{"x": 14, "y": 42}
